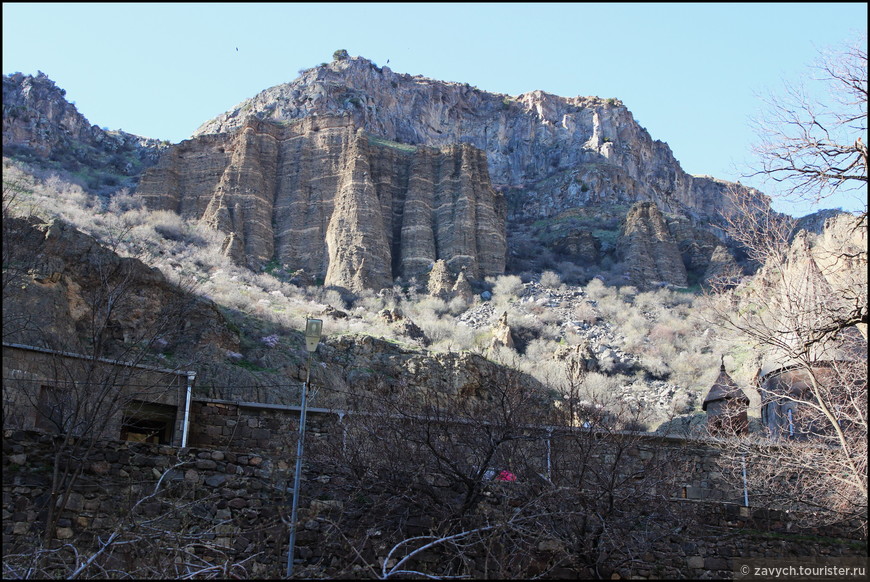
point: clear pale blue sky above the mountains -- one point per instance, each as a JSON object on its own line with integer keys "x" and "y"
{"x": 692, "y": 74}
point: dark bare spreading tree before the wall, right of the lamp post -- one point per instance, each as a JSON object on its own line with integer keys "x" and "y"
{"x": 497, "y": 483}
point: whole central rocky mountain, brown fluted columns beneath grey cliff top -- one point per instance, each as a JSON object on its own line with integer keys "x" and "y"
{"x": 354, "y": 173}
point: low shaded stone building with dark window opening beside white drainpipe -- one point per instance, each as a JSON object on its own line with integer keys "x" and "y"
{"x": 60, "y": 392}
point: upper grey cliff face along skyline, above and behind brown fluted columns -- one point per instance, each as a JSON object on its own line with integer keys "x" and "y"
{"x": 553, "y": 152}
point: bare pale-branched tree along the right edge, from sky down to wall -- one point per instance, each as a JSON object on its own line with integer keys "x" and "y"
{"x": 805, "y": 311}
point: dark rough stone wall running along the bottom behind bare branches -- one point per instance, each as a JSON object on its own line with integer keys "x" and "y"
{"x": 225, "y": 507}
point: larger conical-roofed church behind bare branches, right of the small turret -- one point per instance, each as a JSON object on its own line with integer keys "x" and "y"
{"x": 806, "y": 302}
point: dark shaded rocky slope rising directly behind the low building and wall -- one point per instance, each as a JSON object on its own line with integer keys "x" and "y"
{"x": 64, "y": 290}
